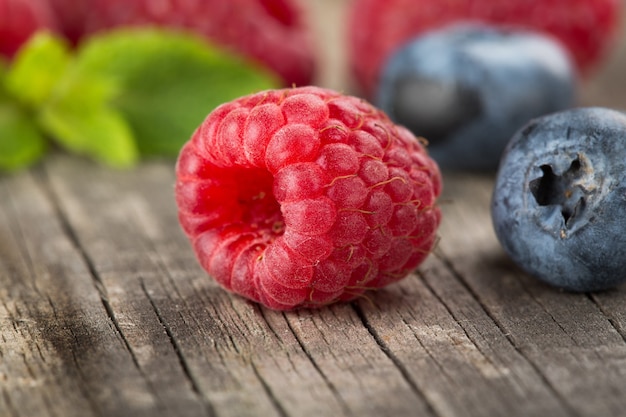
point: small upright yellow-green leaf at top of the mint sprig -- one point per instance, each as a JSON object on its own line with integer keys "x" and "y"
{"x": 37, "y": 68}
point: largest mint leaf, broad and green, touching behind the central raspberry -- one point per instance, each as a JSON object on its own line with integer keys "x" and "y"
{"x": 167, "y": 82}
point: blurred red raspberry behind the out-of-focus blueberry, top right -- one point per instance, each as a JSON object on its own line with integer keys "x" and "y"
{"x": 378, "y": 27}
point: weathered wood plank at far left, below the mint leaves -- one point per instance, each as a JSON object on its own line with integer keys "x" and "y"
{"x": 58, "y": 342}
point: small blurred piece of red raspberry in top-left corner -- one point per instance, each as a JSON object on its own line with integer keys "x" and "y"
{"x": 19, "y": 19}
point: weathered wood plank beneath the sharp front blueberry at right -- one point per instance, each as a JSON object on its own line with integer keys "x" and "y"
{"x": 566, "y": 337}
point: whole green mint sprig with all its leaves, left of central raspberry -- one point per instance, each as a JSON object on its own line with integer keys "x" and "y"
{"x": 123, "y": 92}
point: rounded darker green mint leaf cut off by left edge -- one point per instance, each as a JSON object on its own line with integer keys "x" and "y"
{"x": 21, "y": 143}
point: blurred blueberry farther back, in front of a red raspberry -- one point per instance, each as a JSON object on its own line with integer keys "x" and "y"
{"x": 467, "y": 88}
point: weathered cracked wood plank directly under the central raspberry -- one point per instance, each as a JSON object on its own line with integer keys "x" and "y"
{"x": 146, "y": 268}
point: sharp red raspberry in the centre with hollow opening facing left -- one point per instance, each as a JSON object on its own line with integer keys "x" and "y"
{"x": 303, "y": 197}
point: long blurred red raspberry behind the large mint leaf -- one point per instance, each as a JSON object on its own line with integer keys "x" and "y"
{"x": 273, "y": 32}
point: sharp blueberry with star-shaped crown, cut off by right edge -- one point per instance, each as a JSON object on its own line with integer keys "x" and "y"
{"x": 559, "y": 200}
